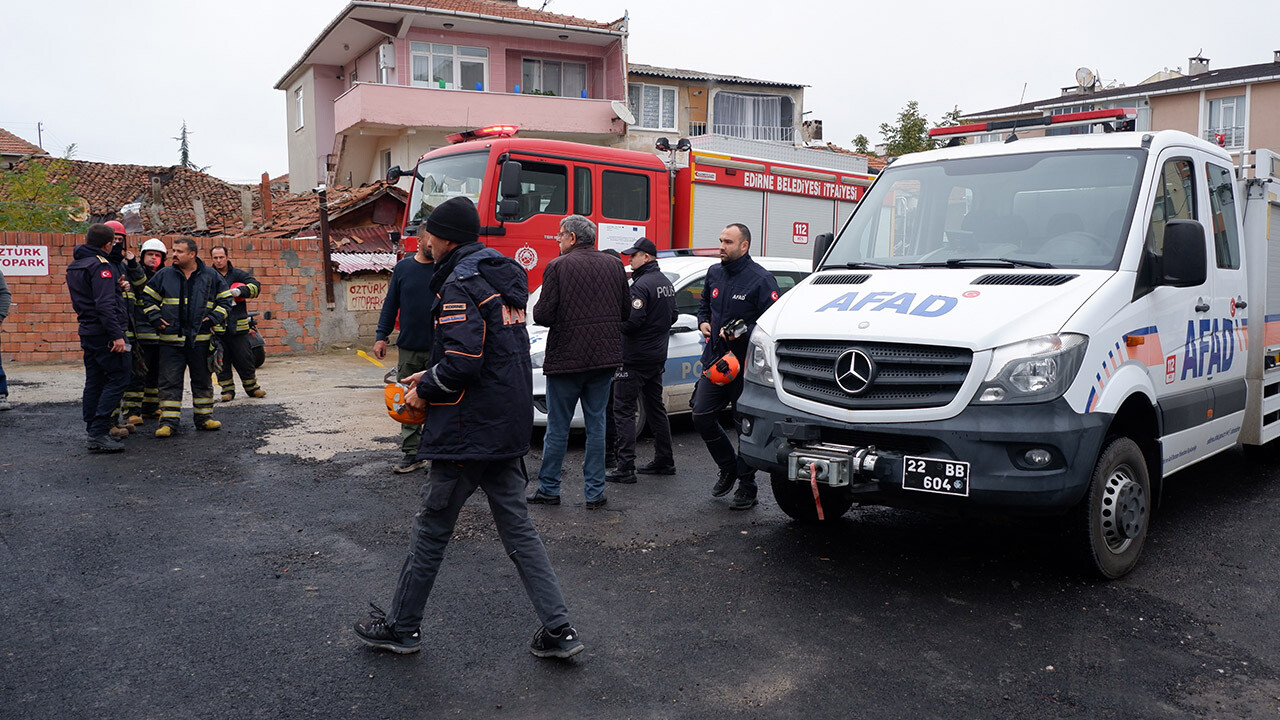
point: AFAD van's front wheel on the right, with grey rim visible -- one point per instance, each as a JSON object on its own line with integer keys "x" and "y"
{"x": 1110, "y": 525}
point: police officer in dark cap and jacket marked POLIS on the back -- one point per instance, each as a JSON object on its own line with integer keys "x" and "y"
{"x": 646, "y": 338}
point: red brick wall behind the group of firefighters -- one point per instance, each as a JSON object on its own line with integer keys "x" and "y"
{"x": 42, "y": 325}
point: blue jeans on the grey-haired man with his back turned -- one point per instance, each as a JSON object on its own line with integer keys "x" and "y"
{"x": 593, "y": 388}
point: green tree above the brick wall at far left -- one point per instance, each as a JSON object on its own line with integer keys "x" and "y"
{"x": 39, "y": 199}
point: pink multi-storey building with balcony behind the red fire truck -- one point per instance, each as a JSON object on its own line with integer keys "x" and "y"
{"x": 386, "y": 83}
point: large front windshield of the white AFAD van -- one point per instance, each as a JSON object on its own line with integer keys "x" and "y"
{"x": 1039, "y": 209}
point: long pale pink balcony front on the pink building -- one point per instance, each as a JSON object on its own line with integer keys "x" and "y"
{"x": 378, "y": 108}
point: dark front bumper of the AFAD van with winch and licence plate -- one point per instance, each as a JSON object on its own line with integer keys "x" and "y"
{"x": 1014, "y": 458}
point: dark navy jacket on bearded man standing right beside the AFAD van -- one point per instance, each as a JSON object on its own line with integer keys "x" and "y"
{"x": 735, "y": 291}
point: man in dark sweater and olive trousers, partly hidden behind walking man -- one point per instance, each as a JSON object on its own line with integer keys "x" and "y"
{"x": 409, "y": 297}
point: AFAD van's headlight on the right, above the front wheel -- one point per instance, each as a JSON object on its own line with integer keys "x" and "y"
{"x": 1034, "y": 371}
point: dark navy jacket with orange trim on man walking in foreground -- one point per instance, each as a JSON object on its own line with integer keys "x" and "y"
{"x": 479, "y": 388}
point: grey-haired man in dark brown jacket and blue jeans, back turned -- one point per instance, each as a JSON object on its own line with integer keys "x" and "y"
{"x": 584, "y": 303}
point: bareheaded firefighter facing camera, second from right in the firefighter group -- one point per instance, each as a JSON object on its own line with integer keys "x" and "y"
{"x": 186, "y": 300}
